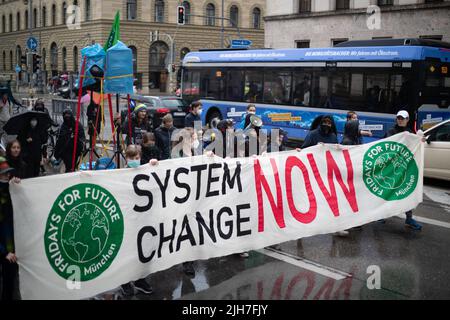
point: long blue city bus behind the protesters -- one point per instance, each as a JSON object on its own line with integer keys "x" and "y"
{"x": 291, "y": 87}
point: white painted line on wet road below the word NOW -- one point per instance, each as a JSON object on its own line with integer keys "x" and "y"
{"x": 305, "y": 264}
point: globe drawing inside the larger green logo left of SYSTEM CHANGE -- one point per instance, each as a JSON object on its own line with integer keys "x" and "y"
{"x": 85, "y": 233}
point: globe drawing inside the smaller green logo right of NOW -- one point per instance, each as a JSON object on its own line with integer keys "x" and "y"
{"x": 390, "y": 170}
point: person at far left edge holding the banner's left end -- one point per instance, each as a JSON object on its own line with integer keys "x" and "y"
{"x": 9, "y": 268}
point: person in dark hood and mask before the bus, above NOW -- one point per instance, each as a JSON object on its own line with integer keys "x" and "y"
{"x": 325, "y": 132}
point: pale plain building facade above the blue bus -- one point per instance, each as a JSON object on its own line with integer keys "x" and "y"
{"x": 324, "y": 23}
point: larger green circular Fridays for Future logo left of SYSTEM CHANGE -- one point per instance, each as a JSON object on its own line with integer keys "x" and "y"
{"x": 84, "y": 230}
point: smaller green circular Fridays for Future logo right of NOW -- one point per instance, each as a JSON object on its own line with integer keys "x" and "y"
{"x": 390, "y": 170}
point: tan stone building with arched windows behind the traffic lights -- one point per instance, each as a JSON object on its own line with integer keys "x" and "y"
{"x": 148, "y": 27}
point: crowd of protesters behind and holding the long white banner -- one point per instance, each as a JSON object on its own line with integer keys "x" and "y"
{"x": 24, "y": 155}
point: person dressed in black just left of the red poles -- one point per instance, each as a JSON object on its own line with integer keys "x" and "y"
{"x": 66, "y": 138}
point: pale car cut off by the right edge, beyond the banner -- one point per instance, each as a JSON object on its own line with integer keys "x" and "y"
{"x": 437, "y": 151}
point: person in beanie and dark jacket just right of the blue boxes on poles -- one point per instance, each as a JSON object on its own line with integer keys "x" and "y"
{"x": 140, "y": 124}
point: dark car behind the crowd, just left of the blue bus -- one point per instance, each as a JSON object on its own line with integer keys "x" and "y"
{"x": 163, "y": 105}
